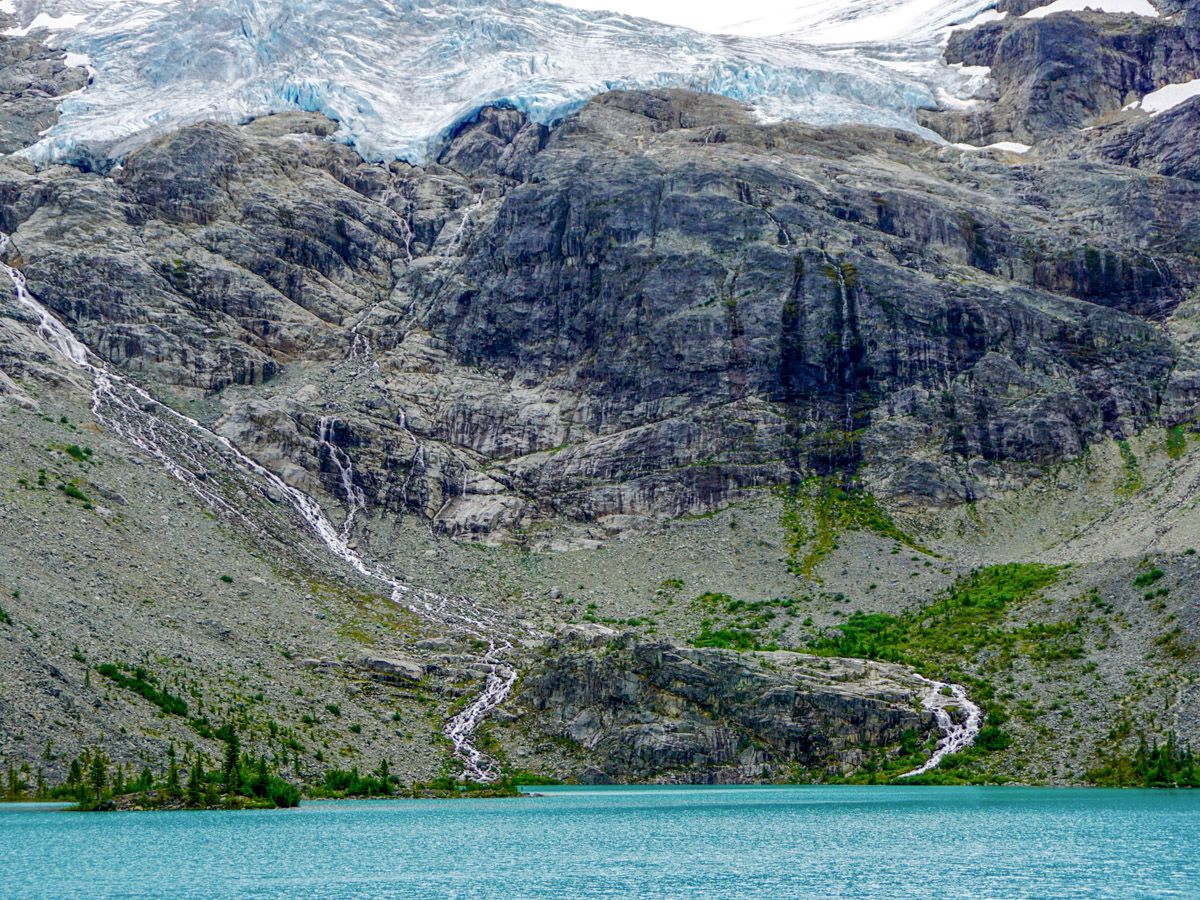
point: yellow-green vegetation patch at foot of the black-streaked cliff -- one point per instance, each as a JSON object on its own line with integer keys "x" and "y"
{"x": 820, "y": 509}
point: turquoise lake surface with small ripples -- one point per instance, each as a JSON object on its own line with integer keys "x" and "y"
{"x": 622, "y": 843}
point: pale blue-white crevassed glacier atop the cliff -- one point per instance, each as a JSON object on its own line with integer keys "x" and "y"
{"x": 400, "y": 75}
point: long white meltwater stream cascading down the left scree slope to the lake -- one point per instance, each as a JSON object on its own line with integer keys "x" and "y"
{"x": 149, "y": 425}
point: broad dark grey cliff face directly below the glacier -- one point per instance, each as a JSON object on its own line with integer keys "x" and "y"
{"x": 655, "y": 309}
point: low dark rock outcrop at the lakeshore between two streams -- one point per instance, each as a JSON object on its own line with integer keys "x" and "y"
{"x": 645, "y": 712}
